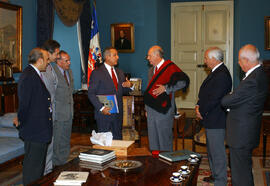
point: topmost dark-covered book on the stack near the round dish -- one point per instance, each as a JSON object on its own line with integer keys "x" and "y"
{"x": 100, "y": 154}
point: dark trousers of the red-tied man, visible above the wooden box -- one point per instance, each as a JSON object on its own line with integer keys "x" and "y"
{"x": 112, "y": 124}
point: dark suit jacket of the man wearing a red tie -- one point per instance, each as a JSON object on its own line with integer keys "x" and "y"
{"x": 101, "y": 83}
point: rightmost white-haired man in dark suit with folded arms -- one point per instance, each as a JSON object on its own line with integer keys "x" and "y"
{"x": 245, "y": 106}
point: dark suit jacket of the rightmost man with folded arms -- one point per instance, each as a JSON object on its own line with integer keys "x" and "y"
{"x": 246, "y": 107}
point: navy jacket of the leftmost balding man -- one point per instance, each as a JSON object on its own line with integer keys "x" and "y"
{"x": 34, "y": 113}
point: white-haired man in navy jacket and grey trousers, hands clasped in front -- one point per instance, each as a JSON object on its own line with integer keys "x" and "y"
{"x": 212, "y": 115}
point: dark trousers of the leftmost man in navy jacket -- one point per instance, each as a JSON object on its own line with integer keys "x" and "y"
{"x": 34, "y": 161}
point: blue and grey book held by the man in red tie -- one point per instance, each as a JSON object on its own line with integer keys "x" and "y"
{"x": 109, "y": 101}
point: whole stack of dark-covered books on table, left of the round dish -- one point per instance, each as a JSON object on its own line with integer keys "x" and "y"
{"x": 96, "y": 157}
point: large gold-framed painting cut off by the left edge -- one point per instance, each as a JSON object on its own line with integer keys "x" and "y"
{"x": 11, "y": 35}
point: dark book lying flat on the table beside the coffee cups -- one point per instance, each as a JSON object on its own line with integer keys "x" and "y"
{"x": 177, "y": 155}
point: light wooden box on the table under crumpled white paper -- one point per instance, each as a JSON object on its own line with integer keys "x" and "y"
{"x": 121, "y": 148}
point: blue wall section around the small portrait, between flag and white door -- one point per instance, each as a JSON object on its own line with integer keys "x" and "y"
{"x": 151, "y": 21}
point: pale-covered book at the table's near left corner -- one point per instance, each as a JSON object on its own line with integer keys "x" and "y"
{"x": 71, "y": 178}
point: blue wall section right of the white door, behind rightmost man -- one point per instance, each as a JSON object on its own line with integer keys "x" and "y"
{"x": 249, "y": 28}
